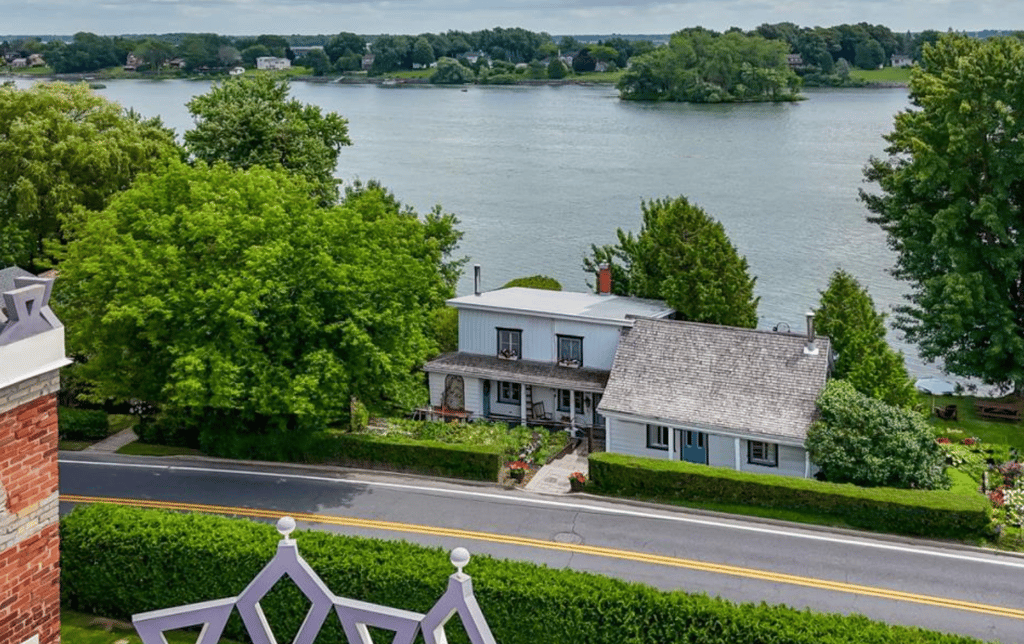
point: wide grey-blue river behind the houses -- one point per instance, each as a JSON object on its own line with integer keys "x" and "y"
{"x": 538, "y": 175}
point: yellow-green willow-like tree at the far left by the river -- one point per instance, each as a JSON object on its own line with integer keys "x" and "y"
{"x": 62, "y": 148}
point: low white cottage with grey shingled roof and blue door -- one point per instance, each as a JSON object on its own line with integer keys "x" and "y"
{"x": 723, "y": 397}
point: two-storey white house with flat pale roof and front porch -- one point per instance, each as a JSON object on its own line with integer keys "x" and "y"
{"x": 530, "y": 356}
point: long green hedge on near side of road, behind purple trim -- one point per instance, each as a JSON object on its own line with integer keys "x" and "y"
{"x": 118, "y": 562}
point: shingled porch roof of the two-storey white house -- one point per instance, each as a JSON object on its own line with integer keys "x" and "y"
{"x": 530, "y": 372}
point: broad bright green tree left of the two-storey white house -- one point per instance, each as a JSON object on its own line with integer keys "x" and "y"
{"x": 231, "y": 295}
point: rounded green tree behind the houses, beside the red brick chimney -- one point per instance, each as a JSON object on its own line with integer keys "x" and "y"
{"x": 684, "y": 256}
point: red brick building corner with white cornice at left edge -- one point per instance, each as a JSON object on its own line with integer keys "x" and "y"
{"x": 32, "y": 353}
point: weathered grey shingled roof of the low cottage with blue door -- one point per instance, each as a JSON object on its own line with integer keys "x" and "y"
{"x": 722, "y": 379}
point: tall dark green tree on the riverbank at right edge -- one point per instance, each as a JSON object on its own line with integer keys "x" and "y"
{"x": 952, "y": 201}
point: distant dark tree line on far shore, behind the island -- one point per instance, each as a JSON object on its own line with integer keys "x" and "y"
{"x": 863, "y": 46}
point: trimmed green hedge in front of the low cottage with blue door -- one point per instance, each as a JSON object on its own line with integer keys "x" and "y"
{"x": 928, "y": 513}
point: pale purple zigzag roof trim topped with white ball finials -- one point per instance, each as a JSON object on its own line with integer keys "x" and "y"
{"x": 356, "y": 617}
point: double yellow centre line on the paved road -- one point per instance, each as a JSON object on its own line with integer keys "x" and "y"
{"x": 596, "y": 551}
